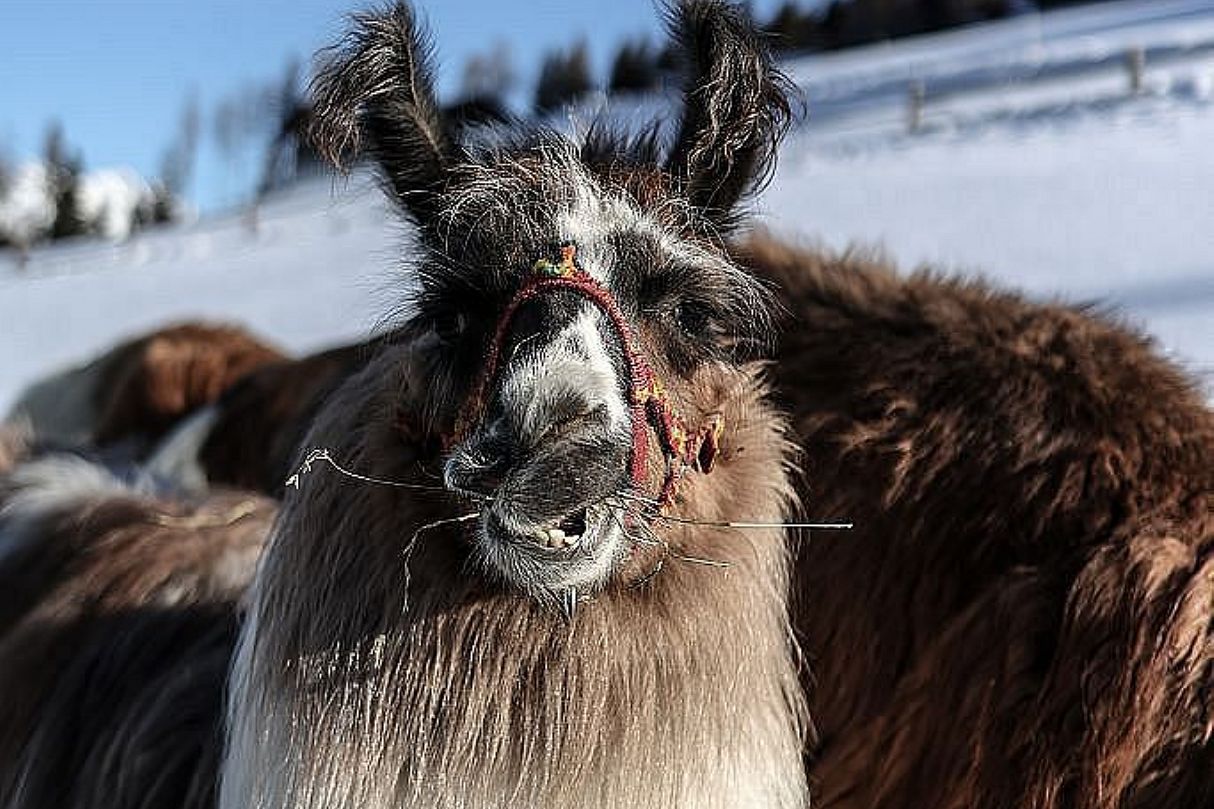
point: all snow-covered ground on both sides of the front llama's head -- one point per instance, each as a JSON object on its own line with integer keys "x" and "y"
{"x": 1033, "y": 166}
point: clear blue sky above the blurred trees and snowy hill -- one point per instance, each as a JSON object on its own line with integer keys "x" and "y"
{"x": 117, "y": 73}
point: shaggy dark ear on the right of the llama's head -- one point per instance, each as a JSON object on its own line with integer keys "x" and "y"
{"x": 736, "y": 108}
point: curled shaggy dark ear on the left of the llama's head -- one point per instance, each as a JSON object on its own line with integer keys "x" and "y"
{"x": 376, "y": 97}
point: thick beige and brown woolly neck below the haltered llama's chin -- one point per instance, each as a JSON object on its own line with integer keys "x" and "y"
{"x": 368, "y": 677}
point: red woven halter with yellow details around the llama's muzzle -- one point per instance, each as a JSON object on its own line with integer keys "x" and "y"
{"x": 649, "y": 403}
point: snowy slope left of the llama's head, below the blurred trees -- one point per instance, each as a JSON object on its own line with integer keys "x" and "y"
{"x": 315, "y": 269}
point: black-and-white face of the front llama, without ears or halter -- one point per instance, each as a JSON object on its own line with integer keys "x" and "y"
{"x": 551, "y": 452}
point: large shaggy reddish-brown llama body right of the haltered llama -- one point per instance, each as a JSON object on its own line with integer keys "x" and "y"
{"x": 1024, "y": 614}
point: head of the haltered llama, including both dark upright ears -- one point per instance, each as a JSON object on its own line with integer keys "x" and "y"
{"x": 564, "y": 285}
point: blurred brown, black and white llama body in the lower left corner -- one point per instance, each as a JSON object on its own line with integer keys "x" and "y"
{"x": 116, "y": 633}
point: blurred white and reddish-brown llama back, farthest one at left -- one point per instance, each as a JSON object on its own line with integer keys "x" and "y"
{"x": 137, "y": 392}
